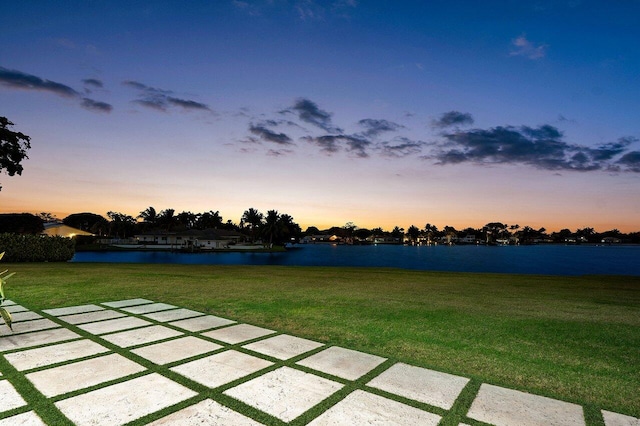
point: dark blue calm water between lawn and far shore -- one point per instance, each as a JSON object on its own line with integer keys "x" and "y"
{"x": 550, "y": 260}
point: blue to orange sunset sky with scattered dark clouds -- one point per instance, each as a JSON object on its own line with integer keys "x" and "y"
{"x": 379, "y": 113}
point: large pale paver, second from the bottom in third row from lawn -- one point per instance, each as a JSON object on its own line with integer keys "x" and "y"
{"x": 124, "y": 402}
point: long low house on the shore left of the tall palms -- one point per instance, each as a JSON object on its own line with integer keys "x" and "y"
{"x": 208, "y": 239}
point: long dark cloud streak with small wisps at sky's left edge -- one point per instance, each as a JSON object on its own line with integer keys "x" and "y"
{"x": 22, "y": 81}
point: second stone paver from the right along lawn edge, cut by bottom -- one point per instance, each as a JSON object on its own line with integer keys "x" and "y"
{"x": 506, "y": 407}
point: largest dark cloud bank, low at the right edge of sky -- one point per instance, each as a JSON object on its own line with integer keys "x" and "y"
{"x": 542, "y": 147}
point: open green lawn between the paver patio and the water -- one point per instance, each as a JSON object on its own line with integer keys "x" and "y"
{"x": 570, "y": 338}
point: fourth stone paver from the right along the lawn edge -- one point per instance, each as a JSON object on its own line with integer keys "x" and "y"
{"x": 342, "y": 362}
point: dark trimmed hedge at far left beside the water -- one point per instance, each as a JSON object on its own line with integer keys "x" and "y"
{"x": 36, "y": 248}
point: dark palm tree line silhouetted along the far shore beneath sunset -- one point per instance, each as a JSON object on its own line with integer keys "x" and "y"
{"x": 280, "y": 228}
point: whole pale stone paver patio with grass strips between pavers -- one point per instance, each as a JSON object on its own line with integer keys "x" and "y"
{"x": 140, "y": 362}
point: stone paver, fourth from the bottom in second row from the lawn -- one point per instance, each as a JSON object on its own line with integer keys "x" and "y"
{"x": 176, "y": 350}
